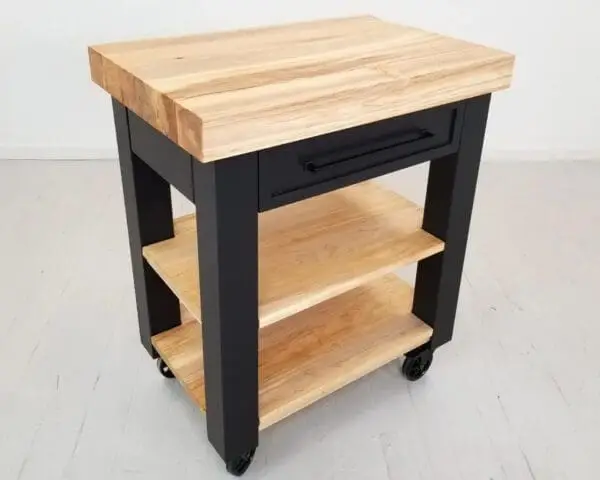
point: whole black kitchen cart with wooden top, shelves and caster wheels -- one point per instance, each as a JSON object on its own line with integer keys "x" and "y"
{"x": 285, "y": 274}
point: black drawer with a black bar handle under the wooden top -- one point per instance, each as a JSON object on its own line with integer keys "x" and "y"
{"x": 302, "y": 169}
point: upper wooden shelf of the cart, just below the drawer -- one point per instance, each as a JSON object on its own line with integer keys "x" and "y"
{"x": 310, "y": 251}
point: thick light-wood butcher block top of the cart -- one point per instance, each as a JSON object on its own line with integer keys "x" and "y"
{"x": 219, "y": 95}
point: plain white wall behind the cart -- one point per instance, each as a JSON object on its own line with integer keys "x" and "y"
{"x": 49, "y": 107}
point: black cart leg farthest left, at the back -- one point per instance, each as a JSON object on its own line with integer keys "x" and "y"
{"x": 149, "y": 220}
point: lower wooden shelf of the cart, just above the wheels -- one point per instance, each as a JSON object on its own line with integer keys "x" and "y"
{"x": 315, "y": 352}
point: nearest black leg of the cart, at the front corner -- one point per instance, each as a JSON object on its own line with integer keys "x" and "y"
{"x": 226, "y": 195}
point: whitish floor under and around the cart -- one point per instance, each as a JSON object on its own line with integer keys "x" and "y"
{"x": 515, "y": 396}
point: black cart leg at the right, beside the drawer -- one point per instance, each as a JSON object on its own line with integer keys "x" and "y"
{"x": 448, "y": 206}
